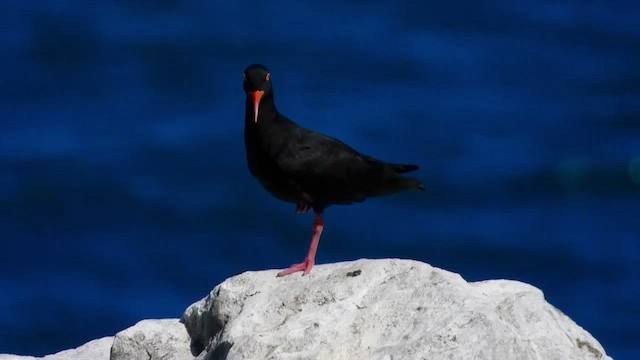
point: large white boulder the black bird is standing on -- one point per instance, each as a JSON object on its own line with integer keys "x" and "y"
{"x": 381, "y": 309}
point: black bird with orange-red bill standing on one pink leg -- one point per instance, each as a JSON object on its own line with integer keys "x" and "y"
{"x": 307, "y": 168}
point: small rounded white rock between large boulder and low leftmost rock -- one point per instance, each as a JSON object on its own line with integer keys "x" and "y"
{"x": 152, "y": 339}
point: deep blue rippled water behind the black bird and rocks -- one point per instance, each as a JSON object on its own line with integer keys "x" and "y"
{"x": 123, "y": 187}
